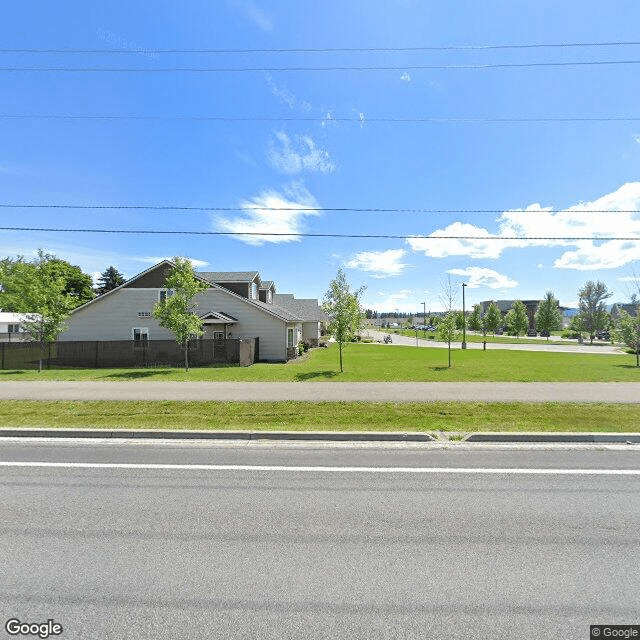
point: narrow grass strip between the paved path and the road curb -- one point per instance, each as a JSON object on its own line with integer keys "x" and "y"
{"x": 321, "y": 416}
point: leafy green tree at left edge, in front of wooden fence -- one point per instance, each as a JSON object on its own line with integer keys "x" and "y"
{"x": 40, "y": 293}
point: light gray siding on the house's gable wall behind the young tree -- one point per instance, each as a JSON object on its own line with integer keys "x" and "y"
{"x": 114, "y": 316}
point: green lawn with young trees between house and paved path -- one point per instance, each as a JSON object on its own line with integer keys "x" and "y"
{"x": 375, "y": 362}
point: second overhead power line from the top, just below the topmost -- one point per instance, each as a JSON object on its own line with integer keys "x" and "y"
{"x": 412, "y": 67}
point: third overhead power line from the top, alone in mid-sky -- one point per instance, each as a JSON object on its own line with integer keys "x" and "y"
{"x": 408, "y": 120}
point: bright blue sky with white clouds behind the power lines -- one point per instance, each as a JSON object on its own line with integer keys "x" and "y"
{"x": 537, "y": 176}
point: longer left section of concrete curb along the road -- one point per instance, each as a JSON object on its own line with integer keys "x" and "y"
{"x": 323, "y": 436}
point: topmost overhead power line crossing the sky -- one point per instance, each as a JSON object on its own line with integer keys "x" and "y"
{"x": 463, "y": 47}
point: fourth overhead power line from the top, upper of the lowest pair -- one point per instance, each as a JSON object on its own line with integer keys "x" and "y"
{"x": 178, "y": 208}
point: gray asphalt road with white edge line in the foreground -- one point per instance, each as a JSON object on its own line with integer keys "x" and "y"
{"x": 418, "y": 542}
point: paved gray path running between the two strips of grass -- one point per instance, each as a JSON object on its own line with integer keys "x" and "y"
{"x": 615, "y": 392}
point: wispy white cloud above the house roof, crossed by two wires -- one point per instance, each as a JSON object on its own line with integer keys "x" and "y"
{"x": 263, "y": 214}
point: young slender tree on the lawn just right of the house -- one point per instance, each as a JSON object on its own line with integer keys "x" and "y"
{"x": 343, "y": 306}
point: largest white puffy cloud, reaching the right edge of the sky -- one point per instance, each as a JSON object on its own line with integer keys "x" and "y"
{"x": 538, "y": 222}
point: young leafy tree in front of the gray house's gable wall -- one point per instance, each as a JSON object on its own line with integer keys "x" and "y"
{"x": 177, "y": 311}
